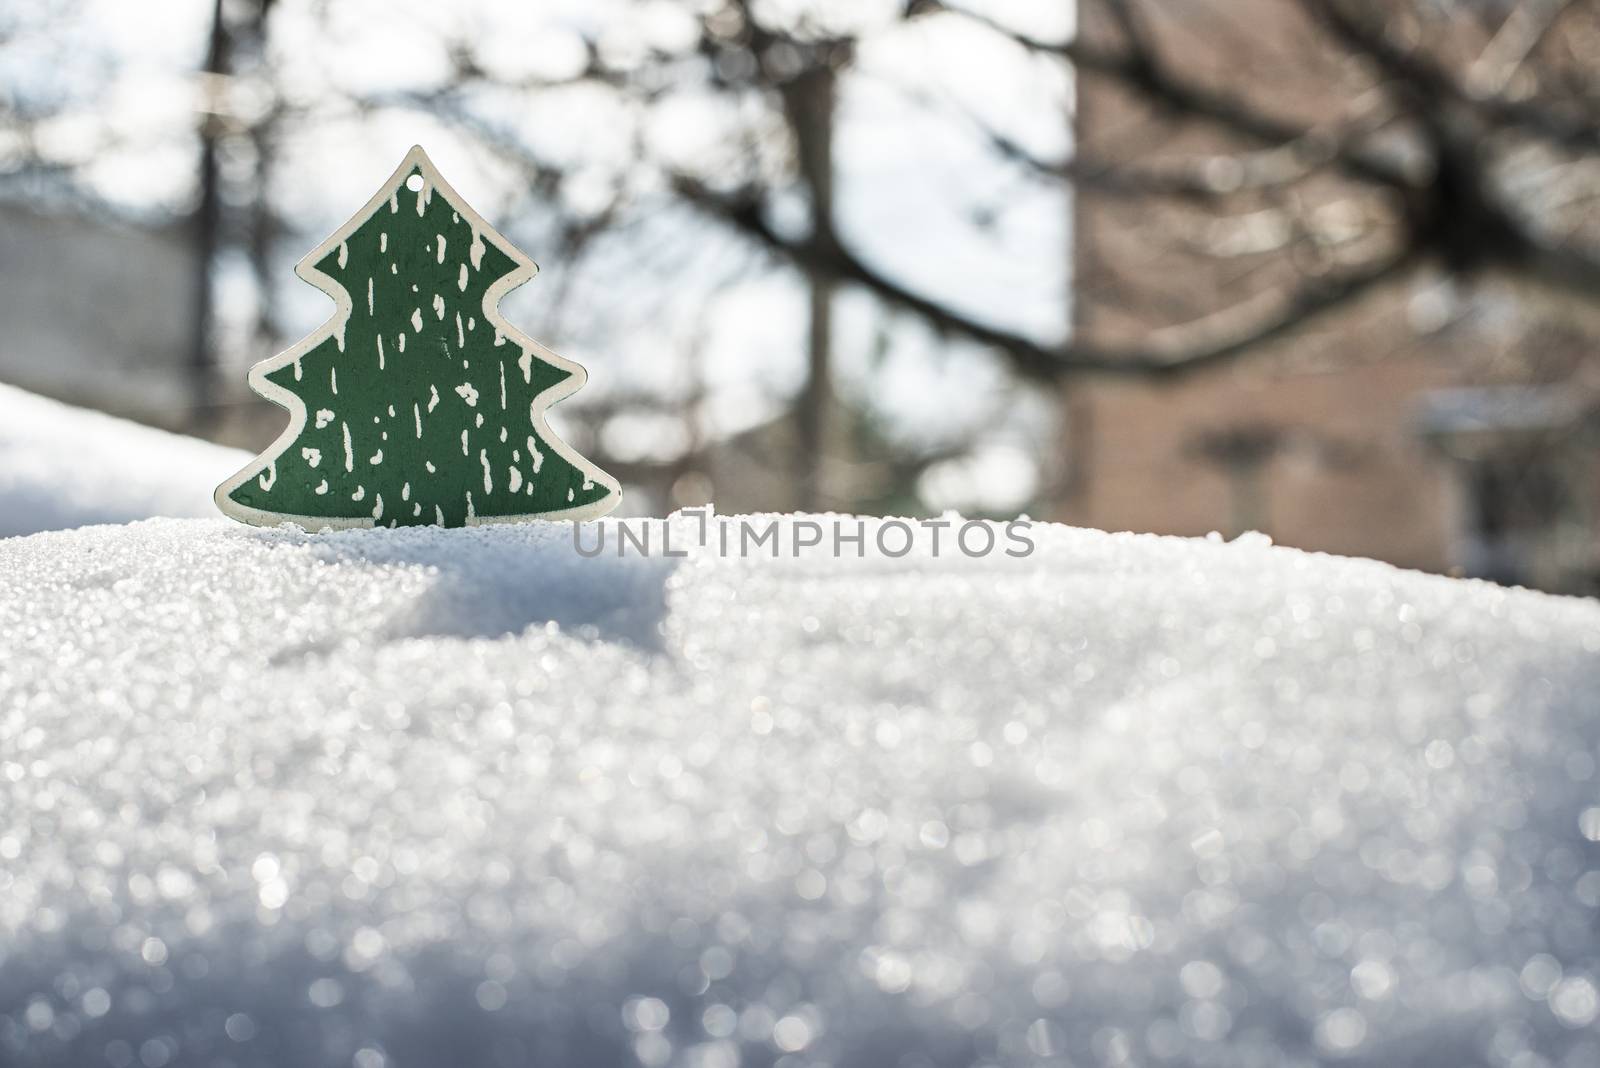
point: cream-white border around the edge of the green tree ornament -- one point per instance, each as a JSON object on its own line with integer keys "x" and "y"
{"x": 417, "y": 159}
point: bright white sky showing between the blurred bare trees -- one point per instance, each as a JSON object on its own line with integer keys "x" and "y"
{"x": 687, "y": 329}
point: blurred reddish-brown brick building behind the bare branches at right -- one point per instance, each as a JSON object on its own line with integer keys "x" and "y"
{"x": 1428, "y": 429}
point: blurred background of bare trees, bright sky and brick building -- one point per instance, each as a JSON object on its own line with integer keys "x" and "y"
{"x": 884, "y": 330}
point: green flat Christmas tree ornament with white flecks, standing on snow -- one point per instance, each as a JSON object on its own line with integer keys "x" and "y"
{"x": 417, "y": 404}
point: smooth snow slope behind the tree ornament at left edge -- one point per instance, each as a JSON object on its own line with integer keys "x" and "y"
{"x": 63, "y": 468}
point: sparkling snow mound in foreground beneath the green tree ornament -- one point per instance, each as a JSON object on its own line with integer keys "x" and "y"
{"x": 466, "y": 799}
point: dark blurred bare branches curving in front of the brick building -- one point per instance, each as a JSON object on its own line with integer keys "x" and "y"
{"x": 1418, "y": 151}
